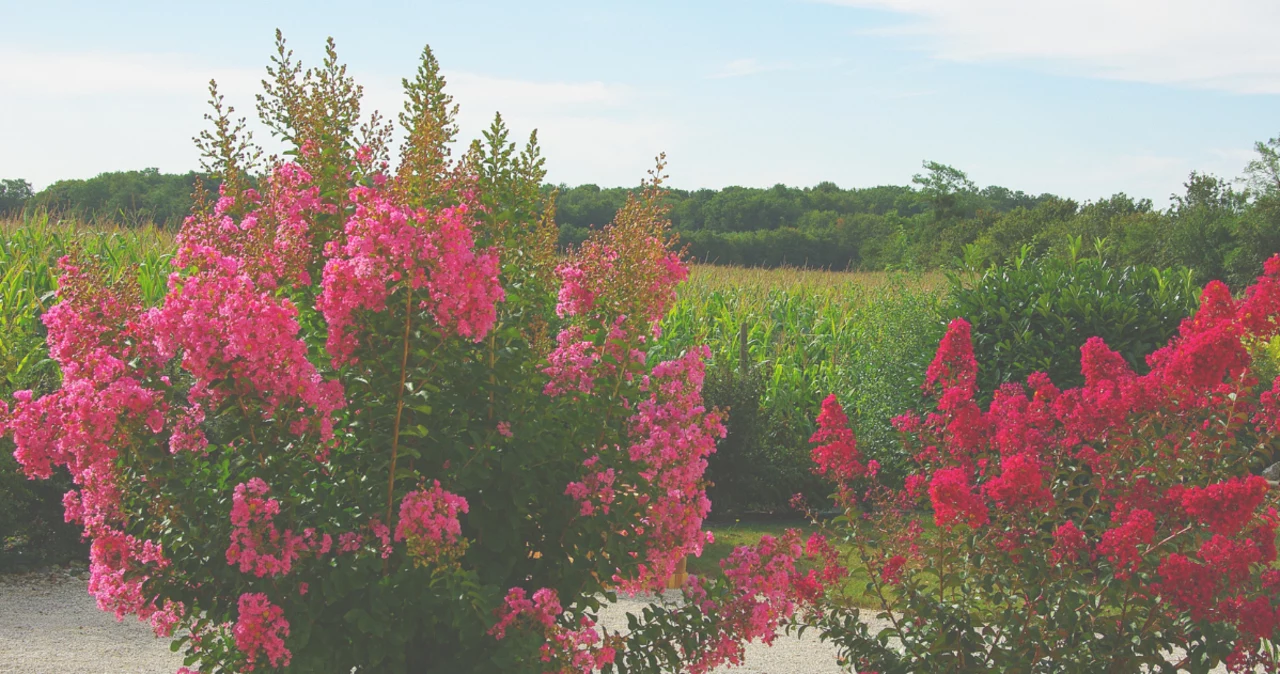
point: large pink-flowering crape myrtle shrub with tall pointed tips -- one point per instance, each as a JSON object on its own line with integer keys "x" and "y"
{"x": 376, "y": 424}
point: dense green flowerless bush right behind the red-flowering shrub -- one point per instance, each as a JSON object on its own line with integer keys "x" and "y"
{"x": 1028, "y": 317}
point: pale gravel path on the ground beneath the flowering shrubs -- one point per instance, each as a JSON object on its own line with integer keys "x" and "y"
{"x": 49, "y": 625}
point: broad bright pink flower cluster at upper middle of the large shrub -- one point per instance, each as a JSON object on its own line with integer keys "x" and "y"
{"x": 432, "y": 254}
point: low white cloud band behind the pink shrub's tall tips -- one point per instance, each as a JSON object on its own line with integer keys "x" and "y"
{"x": 99, "y": 112}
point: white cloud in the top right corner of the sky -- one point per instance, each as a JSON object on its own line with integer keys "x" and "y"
{"x": 1224, "y": 45}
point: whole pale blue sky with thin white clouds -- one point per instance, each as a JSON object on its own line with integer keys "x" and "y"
{"x": 1084, "y": 99}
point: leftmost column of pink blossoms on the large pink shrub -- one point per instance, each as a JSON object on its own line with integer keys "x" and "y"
{"x": 100, "y": 407}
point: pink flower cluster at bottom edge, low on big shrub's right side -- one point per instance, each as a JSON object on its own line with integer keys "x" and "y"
{"x": 568, "y": 650}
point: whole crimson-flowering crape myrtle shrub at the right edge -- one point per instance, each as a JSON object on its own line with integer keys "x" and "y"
{"x": 1090, "y": 529}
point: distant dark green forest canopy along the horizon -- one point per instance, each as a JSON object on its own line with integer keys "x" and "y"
{"x": 1223, "y": 230}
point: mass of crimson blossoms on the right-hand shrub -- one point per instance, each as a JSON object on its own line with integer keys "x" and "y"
{"x": 1140, "y": 476}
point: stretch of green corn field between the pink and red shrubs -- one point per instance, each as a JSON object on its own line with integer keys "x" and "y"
{"x": 865, "y": 337}
